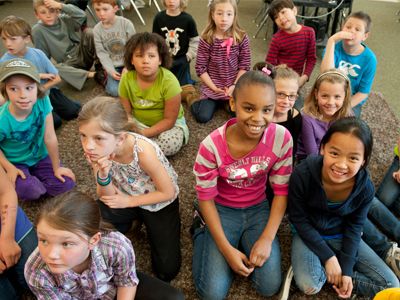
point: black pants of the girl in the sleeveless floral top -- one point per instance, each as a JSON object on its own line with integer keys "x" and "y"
{"x": 163, "y": 230}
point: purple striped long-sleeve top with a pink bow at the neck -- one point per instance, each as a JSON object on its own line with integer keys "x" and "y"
{"x": 222, "y": 63}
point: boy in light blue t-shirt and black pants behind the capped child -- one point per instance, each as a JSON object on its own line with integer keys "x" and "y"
{"x": 16, "y": 35}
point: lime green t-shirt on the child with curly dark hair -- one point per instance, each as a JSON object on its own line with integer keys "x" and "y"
{"x": 148, "y": 105}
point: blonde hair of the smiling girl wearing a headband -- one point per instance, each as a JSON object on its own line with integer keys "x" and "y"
{"x": 332, "y": 76}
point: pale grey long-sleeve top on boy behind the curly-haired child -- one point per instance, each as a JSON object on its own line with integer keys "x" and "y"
{"x": 110, "y": 42}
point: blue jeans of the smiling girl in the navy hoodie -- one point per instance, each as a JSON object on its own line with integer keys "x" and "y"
{"x": 370, "y": 276}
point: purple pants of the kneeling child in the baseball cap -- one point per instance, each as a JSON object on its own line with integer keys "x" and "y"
{"x": 39, "y": 181}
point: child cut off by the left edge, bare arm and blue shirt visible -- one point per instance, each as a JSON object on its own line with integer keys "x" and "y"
{"x": 17, "y": 241}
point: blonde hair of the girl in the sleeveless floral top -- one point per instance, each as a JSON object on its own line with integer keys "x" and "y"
{"x": 109, "y": 113}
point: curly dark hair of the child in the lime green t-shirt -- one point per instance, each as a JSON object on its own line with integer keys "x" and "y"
{"x": 143, "y": 40}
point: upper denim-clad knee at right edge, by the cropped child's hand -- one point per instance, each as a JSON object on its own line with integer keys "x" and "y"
{"x": 389, "y": 189}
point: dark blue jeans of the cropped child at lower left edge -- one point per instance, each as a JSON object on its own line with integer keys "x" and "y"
{"x": 12, "y": 282}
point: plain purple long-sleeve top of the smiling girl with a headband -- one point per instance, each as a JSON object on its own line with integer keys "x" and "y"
{"x": 312, "y": 132}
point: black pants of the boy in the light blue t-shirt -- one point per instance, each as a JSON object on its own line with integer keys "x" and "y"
{"x": 63, "y": 107}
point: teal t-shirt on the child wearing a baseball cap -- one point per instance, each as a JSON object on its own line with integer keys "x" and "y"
{"x": 22, "y": 142}
